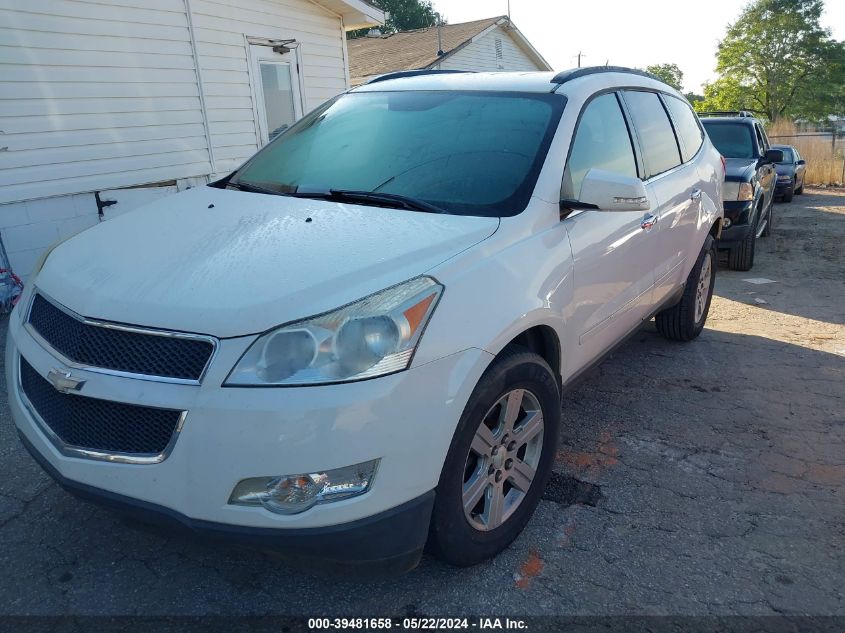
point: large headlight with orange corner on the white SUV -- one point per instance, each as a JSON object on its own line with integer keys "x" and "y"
{"x": 371, "y": 337}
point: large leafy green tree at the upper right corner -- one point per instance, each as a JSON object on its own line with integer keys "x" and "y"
{"x": 776, "y": 60}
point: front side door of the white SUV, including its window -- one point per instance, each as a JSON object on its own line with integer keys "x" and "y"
{"x": 612, "y": 250}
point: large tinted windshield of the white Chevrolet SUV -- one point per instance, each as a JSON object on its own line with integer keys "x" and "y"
{"x": 468, "y": 153}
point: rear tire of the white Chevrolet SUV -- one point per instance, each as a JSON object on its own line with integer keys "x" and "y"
{"x": 685, "y": 320}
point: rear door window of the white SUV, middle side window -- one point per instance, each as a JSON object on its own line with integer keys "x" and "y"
{"x": 657, "y": 139}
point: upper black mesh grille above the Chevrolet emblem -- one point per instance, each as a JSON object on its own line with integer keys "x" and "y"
{"x": 117, "y": 349}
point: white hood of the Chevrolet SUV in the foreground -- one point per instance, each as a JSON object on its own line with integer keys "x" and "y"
{"x": 230, "y": 263}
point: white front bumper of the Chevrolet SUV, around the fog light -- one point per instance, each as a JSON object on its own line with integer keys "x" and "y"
{"x": 406, "y": 420}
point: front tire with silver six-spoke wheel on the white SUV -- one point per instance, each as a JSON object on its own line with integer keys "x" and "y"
{"x": 499, "y": 461}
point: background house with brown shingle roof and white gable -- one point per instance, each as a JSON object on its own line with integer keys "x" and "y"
{"x": 489, "y": 45}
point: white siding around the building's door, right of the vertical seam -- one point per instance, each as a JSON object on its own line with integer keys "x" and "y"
{"x": 221, "y": 30}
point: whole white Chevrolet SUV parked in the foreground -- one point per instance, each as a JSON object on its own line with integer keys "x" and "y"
{"x": 356, "y": 344}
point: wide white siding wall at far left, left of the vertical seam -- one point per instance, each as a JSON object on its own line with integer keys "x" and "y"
{"x": 95, "y": 94}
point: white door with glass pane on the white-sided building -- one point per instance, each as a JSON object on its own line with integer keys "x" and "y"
{"x": 276, "y": 88}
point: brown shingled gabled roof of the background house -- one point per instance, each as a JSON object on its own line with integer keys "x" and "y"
{"x": 414, "y": 50}
